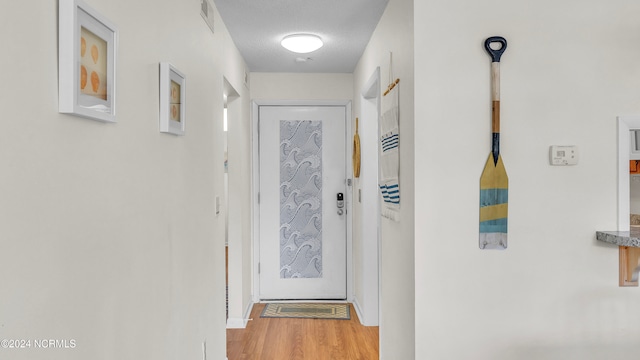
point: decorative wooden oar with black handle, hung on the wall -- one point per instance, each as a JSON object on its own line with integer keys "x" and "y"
{"x": 494, "y": 183}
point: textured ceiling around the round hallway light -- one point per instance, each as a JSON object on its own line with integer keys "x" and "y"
{"x": 258, "y": 26}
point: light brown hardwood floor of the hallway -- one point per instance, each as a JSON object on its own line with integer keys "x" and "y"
{"x": 302, "y": 339}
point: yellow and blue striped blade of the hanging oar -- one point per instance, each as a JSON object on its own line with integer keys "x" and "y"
{"x": 494, "y": 199}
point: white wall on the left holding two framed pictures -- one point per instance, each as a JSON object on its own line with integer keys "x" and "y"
{"x": 108, "y": 233}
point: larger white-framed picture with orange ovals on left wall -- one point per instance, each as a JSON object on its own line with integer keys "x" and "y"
{"x": 87, "y": 62}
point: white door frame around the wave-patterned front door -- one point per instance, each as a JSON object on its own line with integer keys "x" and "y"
{"x": 255, "y": 164}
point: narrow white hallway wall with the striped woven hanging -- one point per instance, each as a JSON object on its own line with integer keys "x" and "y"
{"x": 395, "y": 33}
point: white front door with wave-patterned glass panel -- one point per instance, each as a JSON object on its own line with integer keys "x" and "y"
{"x": 302, "y": 229}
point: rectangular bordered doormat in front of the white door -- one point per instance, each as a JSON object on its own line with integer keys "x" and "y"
{"x": 307, "y": 311}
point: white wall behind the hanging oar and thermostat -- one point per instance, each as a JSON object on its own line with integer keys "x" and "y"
{"x": 570, "y": 68}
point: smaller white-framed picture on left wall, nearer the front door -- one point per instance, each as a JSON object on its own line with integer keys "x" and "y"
{"x": 172, "y": 99}
